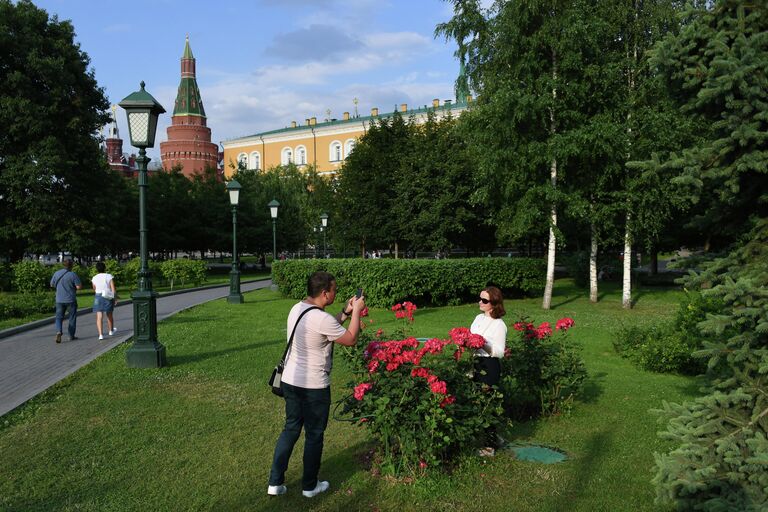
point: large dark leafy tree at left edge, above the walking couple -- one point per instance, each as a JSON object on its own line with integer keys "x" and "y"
{"x": 52, "y": 172}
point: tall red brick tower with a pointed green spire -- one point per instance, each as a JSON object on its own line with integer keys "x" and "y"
{"x": 189, "y": 139}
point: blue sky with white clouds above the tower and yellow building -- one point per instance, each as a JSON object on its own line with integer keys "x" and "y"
{"x": 264, "y": 63}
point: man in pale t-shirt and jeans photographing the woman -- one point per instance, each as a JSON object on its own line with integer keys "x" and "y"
{"x": 306, "y": 379}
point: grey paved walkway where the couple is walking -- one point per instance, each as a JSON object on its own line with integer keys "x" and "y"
{"x": 31, "y": 361}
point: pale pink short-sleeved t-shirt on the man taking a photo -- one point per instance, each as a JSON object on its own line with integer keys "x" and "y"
{"x": 311, "y": 358}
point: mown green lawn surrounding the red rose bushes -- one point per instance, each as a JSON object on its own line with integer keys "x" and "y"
{"x": 199, "y": 434}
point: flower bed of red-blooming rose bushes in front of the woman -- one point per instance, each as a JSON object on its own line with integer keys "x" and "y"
{"x": 419, "y": 402}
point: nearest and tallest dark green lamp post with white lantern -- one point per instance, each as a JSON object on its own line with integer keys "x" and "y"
{"x": 146, "y": 352}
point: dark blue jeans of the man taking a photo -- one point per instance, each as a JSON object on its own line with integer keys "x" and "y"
{"x": 308, "y": 408}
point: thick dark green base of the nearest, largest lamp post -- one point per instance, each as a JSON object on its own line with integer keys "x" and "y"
{"x": 146, "y": 351}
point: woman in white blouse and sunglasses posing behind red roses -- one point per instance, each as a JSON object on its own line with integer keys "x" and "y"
{"x": 490, "y": 326}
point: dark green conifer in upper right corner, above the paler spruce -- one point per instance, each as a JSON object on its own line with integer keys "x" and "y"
{"x": 715, "y": 71}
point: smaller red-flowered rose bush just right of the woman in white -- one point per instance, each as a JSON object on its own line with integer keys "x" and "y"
{"x": 541, "y": 372}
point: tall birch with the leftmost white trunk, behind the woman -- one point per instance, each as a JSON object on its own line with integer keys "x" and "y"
{"x": 527, "y": 62}
